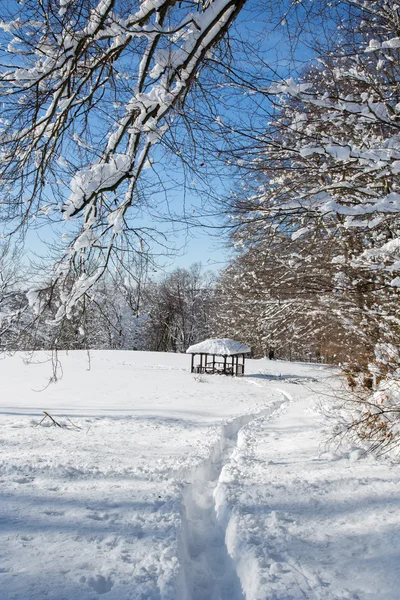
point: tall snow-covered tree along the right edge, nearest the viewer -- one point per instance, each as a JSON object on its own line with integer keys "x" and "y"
{"x": 328, "y": 162}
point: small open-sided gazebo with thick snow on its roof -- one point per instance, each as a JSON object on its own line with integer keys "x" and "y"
{"x": 223, "y": 356}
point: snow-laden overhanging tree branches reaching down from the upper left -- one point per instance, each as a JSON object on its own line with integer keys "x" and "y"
{"x": 87, "y": 90}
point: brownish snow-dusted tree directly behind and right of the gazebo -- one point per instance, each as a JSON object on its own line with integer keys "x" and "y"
{"x": 288, "y": 295}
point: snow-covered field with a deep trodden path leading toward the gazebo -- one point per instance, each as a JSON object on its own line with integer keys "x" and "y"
{"x": 163, "y": 485}
